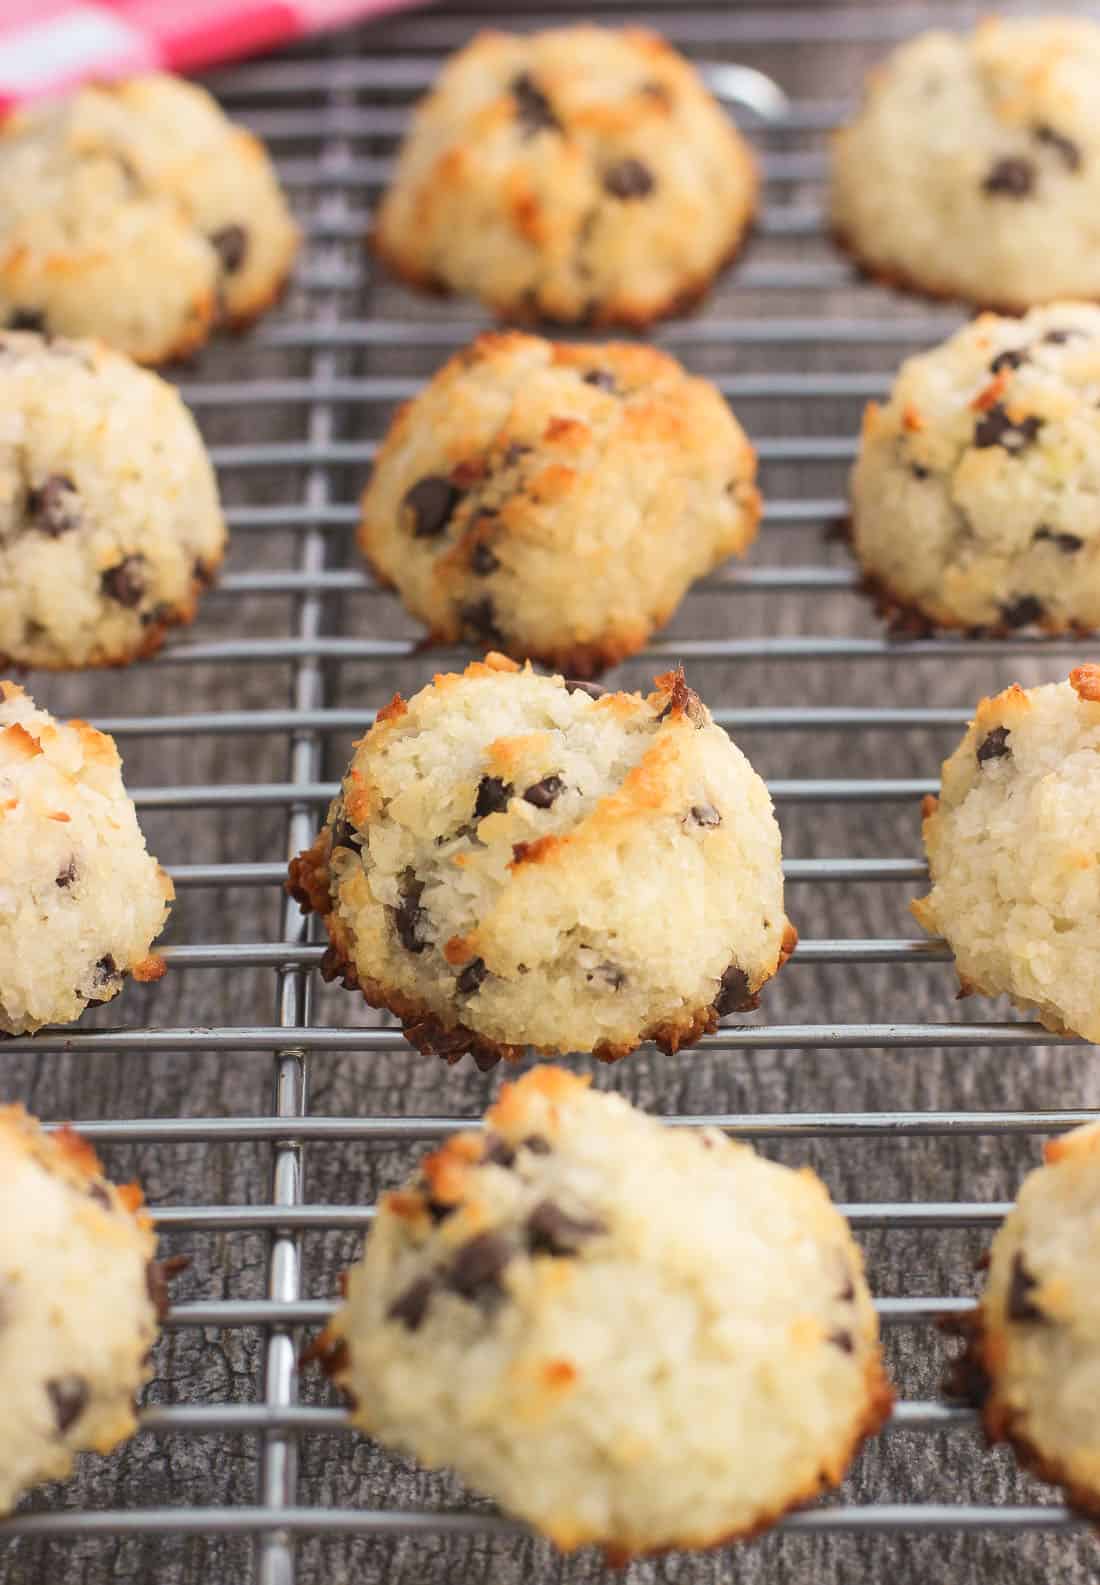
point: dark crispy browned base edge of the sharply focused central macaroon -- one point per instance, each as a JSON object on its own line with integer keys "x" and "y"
{"x": 310, "y": 885}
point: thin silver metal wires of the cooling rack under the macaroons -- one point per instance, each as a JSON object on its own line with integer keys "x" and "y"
{"x": 340, "y": 177}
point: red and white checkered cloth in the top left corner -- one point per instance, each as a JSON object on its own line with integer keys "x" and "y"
{"x": 50, "y": 45}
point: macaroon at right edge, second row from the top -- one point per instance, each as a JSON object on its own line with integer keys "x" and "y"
{"x": 974, "y": 492}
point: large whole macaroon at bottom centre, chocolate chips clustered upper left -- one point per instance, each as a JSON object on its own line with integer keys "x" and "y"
{"x": 625, "y": 1334}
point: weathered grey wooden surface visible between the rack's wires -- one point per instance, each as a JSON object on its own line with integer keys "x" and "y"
{"x": 224, "y": 1367}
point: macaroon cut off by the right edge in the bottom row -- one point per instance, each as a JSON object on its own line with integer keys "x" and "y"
{"x": 1034, "y": 1348}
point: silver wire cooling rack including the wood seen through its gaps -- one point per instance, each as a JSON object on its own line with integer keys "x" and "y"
{"x": 234, "y": 743}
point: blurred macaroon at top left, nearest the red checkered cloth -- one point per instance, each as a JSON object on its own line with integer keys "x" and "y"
{"x": 137, "y": 213}
